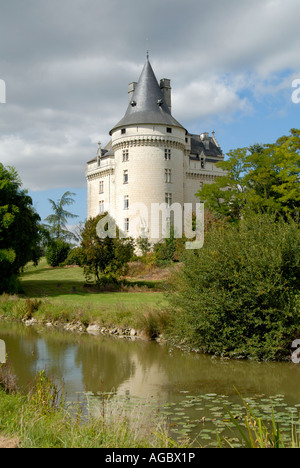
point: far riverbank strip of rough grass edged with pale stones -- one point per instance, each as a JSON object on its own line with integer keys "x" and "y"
{"x": 124, "y": 321}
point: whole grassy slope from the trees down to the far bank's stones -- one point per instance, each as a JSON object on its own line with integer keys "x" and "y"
{"x": 60, "y": 296}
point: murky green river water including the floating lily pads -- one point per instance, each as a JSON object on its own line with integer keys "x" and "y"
{"x": 190, "y": 390}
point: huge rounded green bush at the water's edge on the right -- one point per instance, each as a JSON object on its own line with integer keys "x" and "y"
{"x": 237, "y": 295}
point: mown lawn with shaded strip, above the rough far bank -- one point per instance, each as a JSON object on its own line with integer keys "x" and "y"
{"x": 67, "y": 285}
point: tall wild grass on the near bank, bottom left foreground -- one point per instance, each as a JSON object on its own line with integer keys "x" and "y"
{"x": 41, "y": 419}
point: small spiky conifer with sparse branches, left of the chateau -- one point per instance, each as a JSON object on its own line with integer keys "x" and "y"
{"x": 58, "y": 220}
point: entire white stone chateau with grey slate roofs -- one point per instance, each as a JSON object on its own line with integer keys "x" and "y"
{"x": 150, "y": 159}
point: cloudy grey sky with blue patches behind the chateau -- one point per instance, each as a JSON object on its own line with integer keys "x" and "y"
{"x": 66, "y": 66}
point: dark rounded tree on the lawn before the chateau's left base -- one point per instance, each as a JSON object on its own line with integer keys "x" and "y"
{"x": 100, "y": 257}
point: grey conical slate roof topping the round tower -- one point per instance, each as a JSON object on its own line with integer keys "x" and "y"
{"x": 147, "y": 105}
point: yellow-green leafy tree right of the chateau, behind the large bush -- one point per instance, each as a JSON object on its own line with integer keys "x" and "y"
{"x": 260, "y": 179}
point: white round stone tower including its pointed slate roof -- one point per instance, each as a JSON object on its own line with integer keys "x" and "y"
{"x": 149, "y": 147}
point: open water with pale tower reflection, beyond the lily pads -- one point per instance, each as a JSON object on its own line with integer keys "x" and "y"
{"x": 144, "y": 369}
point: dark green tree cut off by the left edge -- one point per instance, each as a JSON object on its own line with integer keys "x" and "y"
{"x": 20, "y": 230}
